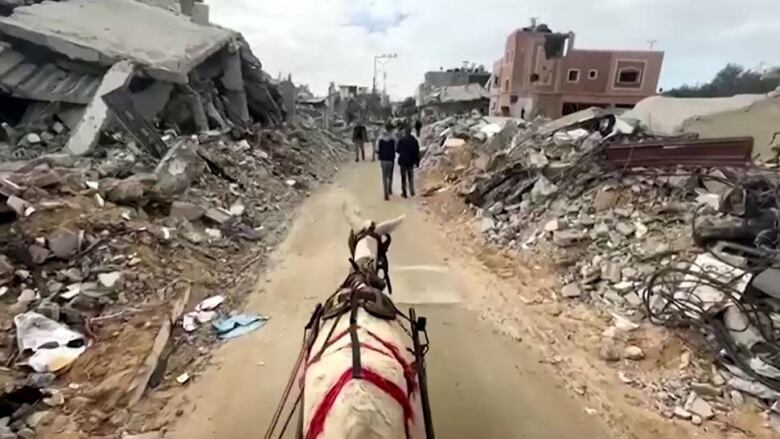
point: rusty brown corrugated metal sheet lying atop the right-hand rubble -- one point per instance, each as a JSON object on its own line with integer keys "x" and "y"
{"x": 726, "y": 151}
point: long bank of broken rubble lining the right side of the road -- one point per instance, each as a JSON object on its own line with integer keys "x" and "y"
{"x": 653, "y": 244}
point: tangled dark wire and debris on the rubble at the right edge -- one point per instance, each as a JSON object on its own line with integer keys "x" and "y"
{"x": 741, "y": 323}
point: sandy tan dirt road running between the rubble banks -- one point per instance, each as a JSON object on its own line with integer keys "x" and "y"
{"x": 484, "y": 384}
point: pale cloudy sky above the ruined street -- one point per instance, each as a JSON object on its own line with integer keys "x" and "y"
{"x": 319, "y": 41}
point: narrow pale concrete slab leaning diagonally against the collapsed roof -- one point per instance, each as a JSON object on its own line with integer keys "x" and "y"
{"x": 86, "y": 135}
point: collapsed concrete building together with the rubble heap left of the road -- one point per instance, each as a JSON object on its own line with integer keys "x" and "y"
{"x": 114, "y": 225}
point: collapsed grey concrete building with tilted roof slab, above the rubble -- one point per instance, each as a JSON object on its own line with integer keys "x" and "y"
{"x": 64, "y": 64}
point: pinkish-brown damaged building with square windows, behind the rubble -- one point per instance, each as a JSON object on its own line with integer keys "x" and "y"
{"x": 542, "y": 73}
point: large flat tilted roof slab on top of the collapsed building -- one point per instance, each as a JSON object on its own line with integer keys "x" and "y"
{"x": 107, "y": 31}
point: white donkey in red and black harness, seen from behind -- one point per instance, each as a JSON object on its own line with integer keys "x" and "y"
{"x": 377, "y": 395}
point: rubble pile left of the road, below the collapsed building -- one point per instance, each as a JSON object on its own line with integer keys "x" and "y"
{"x": 99, "y": 252}
